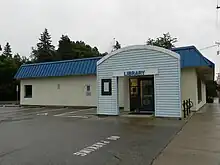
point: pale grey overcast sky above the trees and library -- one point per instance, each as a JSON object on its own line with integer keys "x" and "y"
{"x": 97, "y": 22}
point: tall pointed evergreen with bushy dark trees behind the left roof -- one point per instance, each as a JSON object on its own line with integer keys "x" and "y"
{"x": 67, "y": 49}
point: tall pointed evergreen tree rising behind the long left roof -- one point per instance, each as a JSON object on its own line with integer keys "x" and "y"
{"x": 45, "y": 51}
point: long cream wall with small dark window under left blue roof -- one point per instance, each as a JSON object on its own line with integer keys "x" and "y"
{"x": 71, "y": 92}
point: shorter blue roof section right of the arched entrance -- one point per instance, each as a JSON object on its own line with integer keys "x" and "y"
{"x": 191, "y": 57}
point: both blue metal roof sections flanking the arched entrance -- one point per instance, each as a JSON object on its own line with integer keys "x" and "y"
{"x": 190, "y": 57}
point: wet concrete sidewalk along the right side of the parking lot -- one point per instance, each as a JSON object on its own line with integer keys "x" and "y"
{"x": 199, "y": 141}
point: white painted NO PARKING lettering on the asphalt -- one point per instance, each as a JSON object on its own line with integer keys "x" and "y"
{"x": 96, "y": 146}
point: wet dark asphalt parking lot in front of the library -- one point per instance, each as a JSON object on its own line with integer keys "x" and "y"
{"x": 67, "y": 136}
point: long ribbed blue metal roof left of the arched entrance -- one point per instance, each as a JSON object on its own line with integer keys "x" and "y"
{"x": 86, "y": 66}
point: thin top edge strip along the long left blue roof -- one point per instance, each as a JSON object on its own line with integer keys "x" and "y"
{"x": 63, "y": 61}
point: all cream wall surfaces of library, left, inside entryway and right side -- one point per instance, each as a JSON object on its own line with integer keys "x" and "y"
{"x": 72, "y": 90}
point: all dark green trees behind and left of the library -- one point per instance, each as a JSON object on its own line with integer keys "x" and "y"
{"x": 45, "y": 51}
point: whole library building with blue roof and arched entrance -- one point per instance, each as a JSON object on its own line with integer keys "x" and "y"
{"x": 147, "y": 78}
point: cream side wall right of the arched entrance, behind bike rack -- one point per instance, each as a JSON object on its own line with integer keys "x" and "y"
{"x": 189, "y": 88}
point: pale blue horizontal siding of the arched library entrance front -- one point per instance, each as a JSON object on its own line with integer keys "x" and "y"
{"x": 167, "y": 82}
